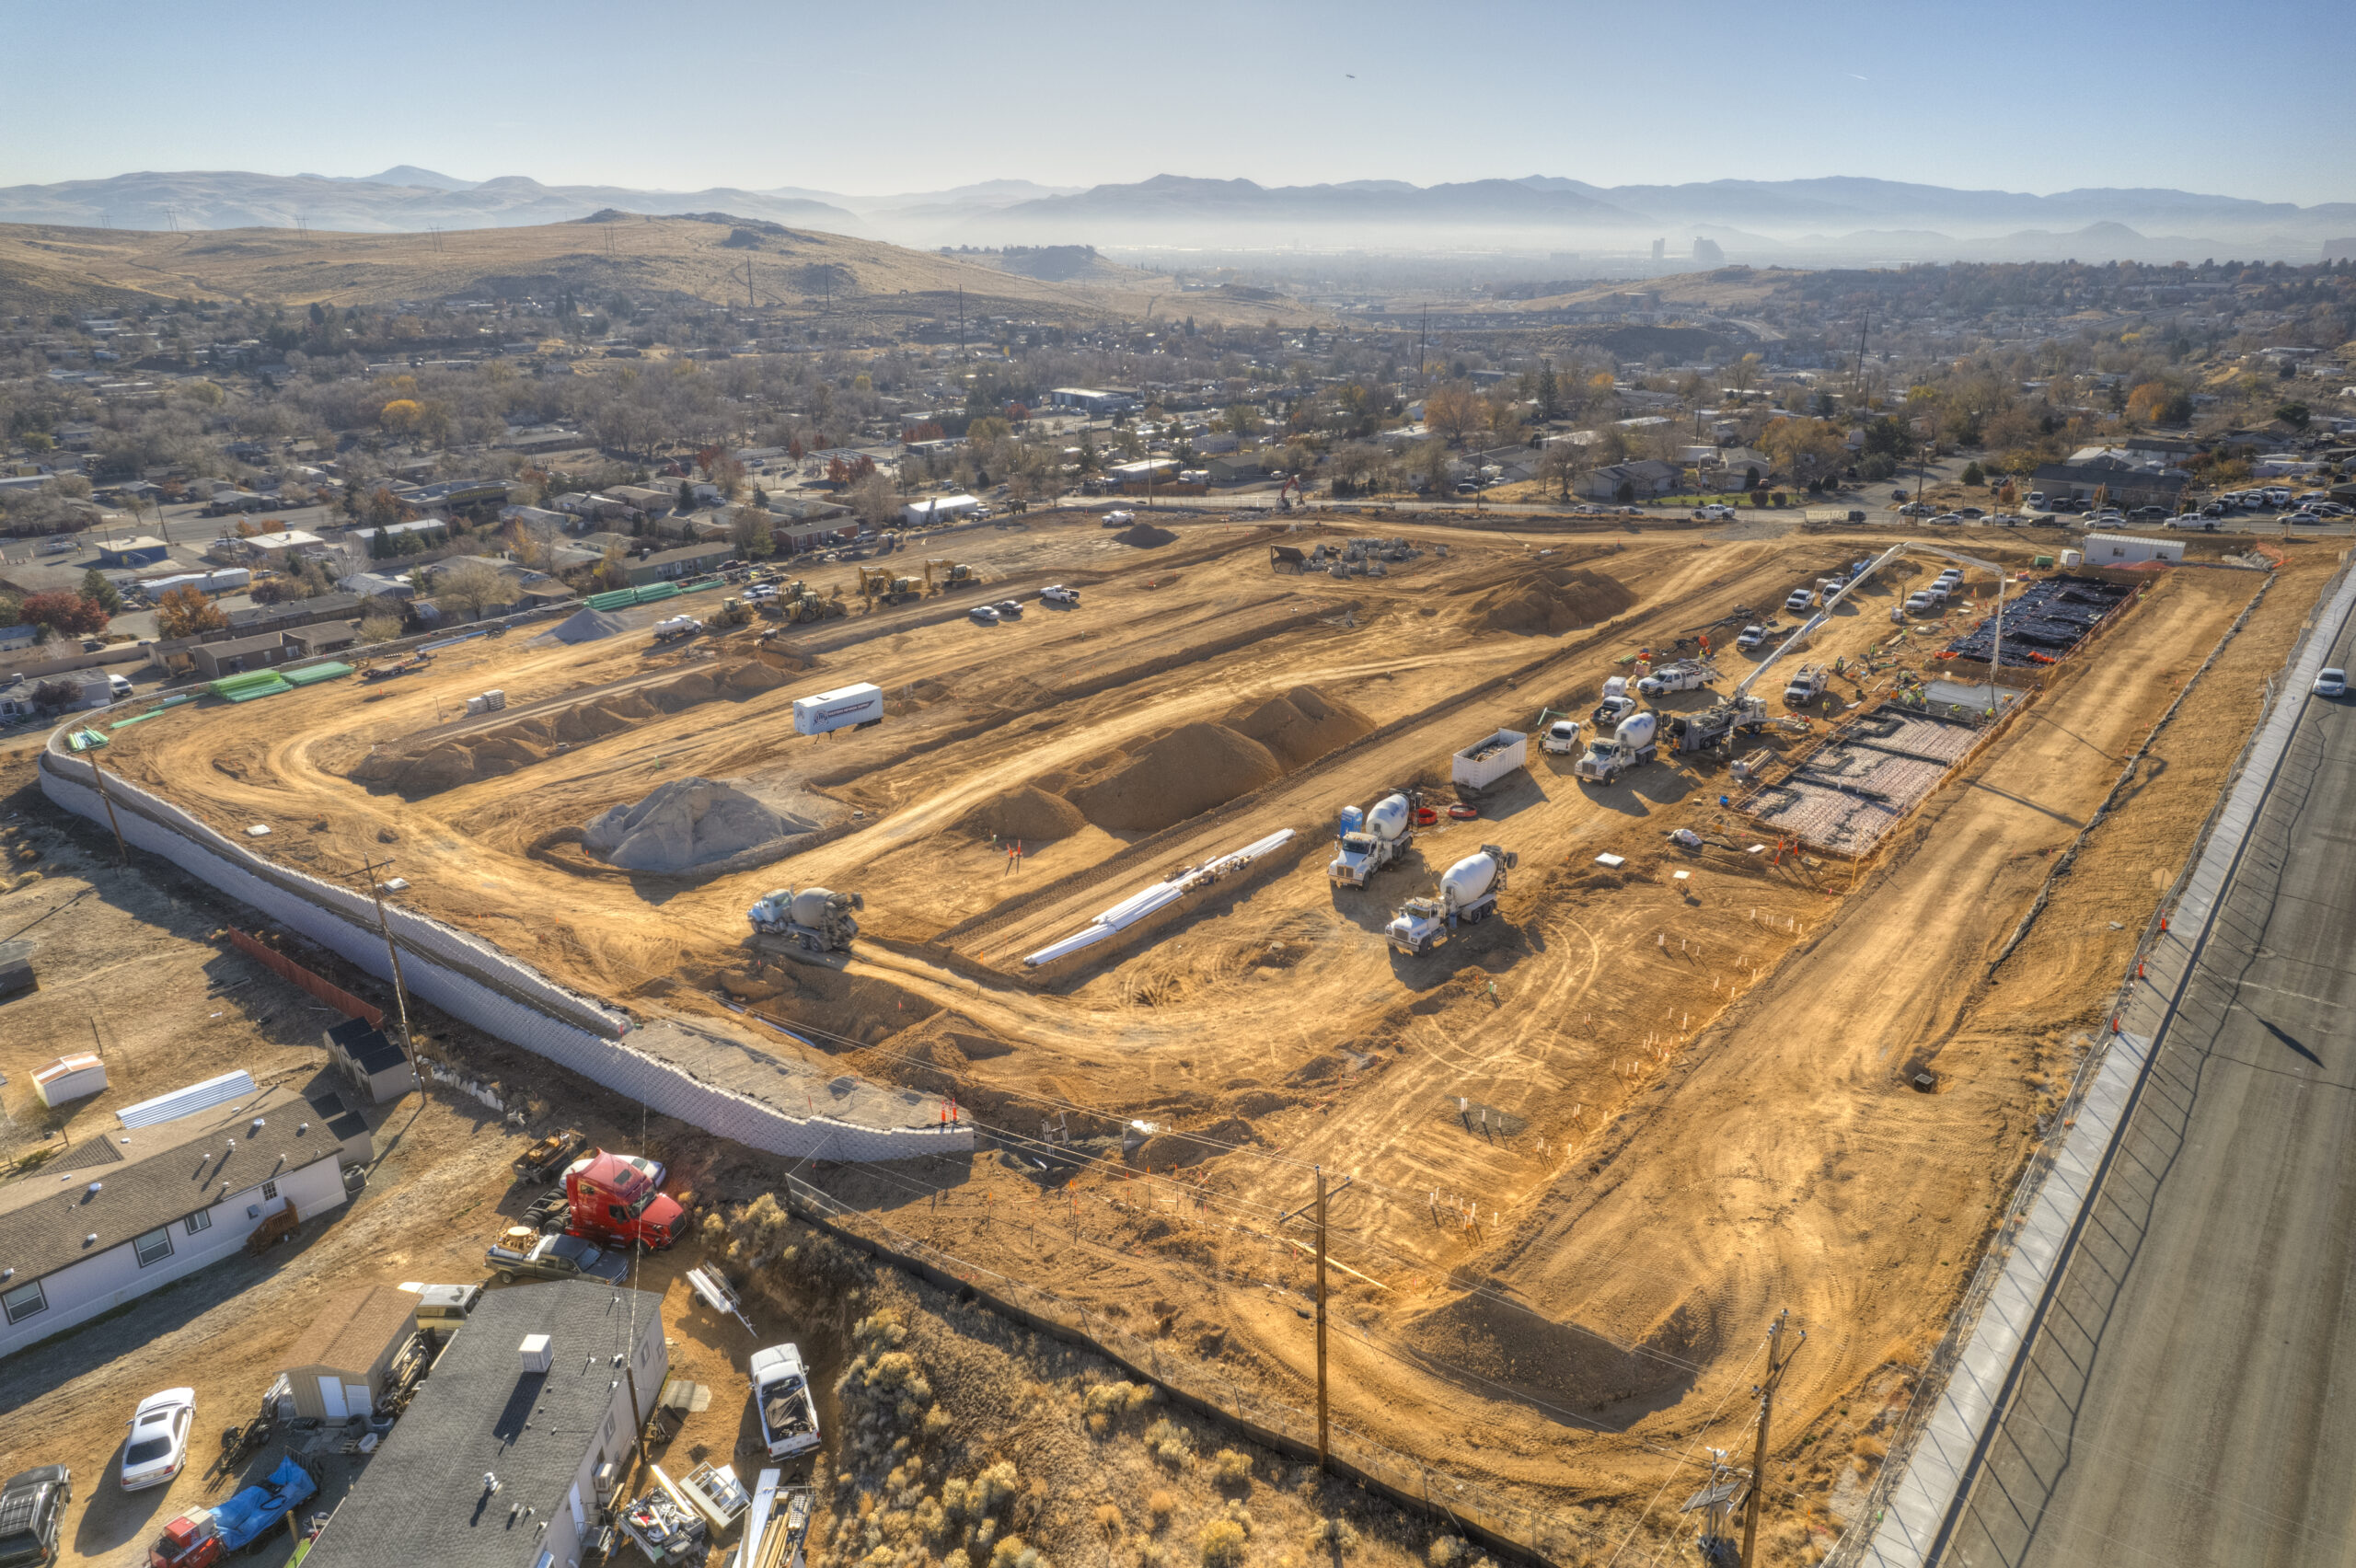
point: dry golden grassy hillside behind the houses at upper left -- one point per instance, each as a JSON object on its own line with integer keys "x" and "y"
{"x": 62, "y": 270}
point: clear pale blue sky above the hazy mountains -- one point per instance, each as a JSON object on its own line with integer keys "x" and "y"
{"x": 913, "y": 95}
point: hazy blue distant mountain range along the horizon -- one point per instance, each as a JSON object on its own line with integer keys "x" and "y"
{"x": 1792, "y": 220}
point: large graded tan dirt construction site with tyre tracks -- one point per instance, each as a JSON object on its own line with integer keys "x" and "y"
{"x": 1695, "y": 1063}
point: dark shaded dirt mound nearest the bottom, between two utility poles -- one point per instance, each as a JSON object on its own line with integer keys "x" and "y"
{"x": 1563, "y": 1362}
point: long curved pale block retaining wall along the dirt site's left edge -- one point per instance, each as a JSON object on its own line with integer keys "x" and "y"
{"x": 470, "y": 978}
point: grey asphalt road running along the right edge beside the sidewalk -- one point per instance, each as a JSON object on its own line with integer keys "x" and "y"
{"x": 2192, "y": 1397}
